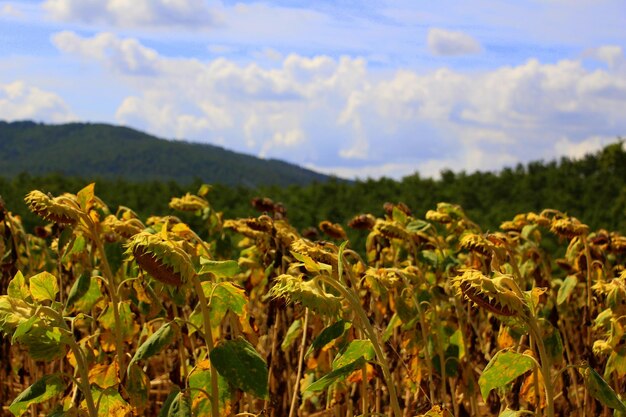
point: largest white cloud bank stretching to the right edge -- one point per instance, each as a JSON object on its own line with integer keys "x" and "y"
{"x": 325, "y": 112}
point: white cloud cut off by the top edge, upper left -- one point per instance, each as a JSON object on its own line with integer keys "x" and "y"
{"x": 135, "y": 13}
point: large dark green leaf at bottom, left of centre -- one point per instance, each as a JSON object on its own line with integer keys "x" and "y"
{"x": 241, "y": 365}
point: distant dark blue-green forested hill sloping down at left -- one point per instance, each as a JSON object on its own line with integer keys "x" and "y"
{"x": 106, "y": 151}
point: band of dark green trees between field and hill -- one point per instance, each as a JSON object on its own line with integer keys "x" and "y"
{"x": 592, "y": 189}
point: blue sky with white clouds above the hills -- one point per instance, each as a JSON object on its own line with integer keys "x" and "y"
{"x": 358, "y": 89}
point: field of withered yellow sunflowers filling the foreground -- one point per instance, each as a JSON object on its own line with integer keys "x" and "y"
{"x": 104, "y": 313}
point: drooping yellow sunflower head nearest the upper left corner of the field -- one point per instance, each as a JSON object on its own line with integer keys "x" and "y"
{"x": 61, "y": 210}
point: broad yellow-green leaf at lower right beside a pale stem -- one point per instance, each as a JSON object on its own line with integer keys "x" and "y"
{"x": 502, "y": 369}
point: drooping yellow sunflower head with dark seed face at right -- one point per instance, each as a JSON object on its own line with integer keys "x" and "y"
{"x": 489, "y": 293}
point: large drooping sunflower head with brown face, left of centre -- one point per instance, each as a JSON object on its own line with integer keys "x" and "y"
{"x": 163, "y": 259}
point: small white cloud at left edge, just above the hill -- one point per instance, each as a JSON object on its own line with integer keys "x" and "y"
{"x": 19, "y": 101}
